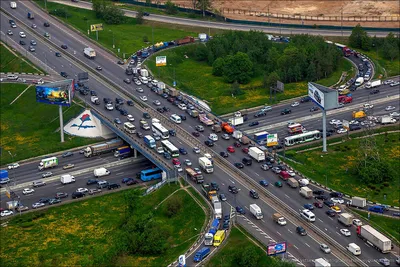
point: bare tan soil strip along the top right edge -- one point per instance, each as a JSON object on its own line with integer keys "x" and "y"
{"x": 368, "y": 13}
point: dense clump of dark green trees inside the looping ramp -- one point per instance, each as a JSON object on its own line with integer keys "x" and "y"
{"x": 239, "y": 56}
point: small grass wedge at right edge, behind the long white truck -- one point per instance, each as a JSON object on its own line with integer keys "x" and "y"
{"x": 386, "y": 225}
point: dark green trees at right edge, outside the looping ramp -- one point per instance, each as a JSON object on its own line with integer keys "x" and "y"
{"x": 387, "y": 47}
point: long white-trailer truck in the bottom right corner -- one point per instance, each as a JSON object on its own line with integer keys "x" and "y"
{"x": 374, "y": 238}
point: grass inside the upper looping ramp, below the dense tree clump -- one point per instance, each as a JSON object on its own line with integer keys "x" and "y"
{"x": 195, "y": 78}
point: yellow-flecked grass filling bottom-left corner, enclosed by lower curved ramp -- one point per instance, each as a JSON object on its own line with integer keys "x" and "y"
{"x": 75, "y": 234}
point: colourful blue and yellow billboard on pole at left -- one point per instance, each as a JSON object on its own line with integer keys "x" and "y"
{"x": 56, "y": 93}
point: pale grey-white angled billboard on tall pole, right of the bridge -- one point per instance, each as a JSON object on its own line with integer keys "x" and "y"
{"x": 324, "y": 97}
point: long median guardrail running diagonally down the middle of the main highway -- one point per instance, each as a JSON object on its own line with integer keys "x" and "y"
{"x": 274, "y": 201}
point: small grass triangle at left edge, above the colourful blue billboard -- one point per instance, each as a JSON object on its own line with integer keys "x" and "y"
{"x": 11, "y": 63}
